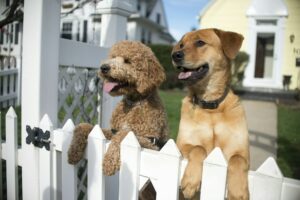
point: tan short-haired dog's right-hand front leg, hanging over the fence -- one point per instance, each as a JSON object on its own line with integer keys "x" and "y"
{"x": 238, "y": 178}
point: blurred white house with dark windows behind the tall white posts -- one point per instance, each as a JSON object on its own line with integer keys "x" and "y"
{"x": 81, "y": 21}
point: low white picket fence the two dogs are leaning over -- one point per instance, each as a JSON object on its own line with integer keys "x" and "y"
{"x": 58, "y": 179}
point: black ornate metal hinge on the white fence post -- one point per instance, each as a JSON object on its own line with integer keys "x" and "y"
{"x": 38, "y": 138}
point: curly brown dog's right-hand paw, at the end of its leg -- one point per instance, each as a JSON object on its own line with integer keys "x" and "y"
{"x": 111, "y": 164}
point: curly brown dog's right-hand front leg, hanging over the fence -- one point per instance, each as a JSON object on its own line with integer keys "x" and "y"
{"x": 111, "y": 161}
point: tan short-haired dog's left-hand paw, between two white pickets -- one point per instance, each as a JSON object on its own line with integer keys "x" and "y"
{"x": 190, "y": 184}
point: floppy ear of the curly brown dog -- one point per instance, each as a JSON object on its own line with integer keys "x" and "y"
{"x": 151, "y": 75}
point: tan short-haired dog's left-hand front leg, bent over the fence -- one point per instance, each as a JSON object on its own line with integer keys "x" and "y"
{"x": 190, "y": 183}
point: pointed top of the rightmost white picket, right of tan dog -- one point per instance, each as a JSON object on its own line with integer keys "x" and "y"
{"x": 270, "y": 168}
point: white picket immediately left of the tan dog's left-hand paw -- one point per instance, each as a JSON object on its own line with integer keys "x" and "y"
{"x": 168, "y": 183}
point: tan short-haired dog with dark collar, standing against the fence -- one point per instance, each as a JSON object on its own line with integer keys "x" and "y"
{"x": 211, "y": 115}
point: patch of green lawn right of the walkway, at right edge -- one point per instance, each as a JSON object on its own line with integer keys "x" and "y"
{"x": 288, "y": 153}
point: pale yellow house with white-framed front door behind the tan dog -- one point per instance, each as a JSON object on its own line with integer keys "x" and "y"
{"x": 272, "y": 37}
